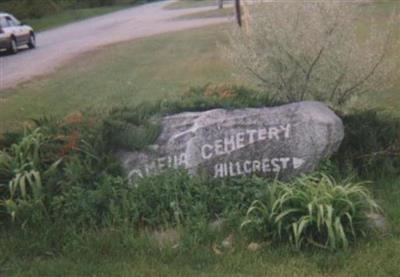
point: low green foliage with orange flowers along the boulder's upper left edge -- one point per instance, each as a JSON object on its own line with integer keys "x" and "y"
{"x": 135, "y": 128}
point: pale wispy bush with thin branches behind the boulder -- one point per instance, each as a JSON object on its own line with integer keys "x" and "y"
{"x": 327, "y": 51}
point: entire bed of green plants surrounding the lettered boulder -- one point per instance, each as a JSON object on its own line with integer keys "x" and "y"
{"x": 62, "y": 172}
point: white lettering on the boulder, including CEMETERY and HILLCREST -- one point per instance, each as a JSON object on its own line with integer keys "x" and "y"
{"x": 226, "y": 146}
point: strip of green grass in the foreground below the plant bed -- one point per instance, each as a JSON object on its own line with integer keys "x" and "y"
{"x": 372, "y": 259}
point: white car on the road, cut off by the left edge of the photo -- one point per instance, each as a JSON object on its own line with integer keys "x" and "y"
{"x": 14, "y": 34}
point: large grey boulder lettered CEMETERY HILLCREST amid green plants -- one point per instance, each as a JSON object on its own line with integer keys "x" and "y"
{"x": 282, "y": 141}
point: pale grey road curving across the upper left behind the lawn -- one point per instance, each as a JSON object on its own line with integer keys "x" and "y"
{"x": 57, "y": 46}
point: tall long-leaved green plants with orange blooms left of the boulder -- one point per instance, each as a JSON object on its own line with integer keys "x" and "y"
{"x": 44, "y": 163}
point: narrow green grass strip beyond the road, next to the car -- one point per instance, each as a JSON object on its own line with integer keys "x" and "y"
{"x": 69, "y": 16}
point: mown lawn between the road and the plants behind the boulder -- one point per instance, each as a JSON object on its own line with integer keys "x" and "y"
{"x": 115, "y": 76}
